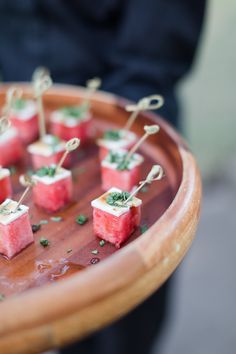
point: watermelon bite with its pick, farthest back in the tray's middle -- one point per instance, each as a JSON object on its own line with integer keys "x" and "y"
{"x": 75, "y": 121}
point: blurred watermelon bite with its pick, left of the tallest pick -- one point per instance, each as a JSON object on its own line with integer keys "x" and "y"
{"x": 23, "y": 115}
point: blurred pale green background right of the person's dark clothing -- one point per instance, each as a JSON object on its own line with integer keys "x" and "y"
{"x": 208, "y": 94}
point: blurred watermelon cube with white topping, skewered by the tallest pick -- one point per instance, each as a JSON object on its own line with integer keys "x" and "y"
{"x": 47, "y": 152}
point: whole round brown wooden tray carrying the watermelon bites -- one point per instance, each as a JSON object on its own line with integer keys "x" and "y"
{"x": 54, "y": 297}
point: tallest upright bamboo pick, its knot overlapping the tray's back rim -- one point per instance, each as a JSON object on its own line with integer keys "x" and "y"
{"x": 41, "y": 84}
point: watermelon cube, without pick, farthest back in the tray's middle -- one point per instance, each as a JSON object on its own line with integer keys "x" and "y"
{"x": 71, "y": 122}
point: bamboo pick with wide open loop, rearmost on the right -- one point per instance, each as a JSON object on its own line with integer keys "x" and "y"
{"x": 146, "y": 103}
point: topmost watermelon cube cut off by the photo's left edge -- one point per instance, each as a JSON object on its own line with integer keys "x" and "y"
{"x": 11, "y": 149}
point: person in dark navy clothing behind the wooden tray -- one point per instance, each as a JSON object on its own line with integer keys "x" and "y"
{"x": 137, "y": 48}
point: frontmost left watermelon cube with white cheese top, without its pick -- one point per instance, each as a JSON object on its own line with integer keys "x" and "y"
{"x": 15, "y": 228}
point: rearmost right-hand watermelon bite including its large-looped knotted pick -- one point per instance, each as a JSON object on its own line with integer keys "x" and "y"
{"x": 123, "y": 138}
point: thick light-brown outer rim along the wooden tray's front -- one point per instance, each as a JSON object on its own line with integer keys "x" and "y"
{"x": 47, "y": 316}
